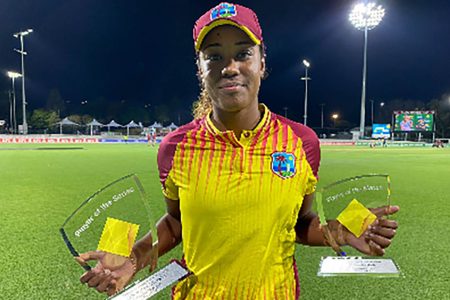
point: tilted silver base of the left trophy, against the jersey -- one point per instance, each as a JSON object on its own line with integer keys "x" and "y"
{"x": 150, "y": 286}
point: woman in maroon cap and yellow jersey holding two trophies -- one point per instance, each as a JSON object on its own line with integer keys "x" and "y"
{"x": 239, "y": 180}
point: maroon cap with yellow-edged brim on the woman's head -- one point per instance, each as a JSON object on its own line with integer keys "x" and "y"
{"x": 228, "y": 14}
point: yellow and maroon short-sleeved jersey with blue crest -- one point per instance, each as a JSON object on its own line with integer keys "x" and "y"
{"x": 239, "y": 202}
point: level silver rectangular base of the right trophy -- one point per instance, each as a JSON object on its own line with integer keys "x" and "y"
{"x": 357, "y": 266}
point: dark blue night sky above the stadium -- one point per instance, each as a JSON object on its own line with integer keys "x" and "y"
{"x": 141, "y": 52}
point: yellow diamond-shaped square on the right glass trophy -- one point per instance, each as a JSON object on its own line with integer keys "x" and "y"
{"x": 356, "y": 217}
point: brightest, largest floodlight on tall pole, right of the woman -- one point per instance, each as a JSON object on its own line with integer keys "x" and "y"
{"x": 365, "y": 16}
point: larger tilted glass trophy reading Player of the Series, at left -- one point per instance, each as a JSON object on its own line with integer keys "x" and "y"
{"x": 110, "y": 222}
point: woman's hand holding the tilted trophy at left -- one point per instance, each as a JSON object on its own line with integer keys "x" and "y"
{"x": 111, "y": 274}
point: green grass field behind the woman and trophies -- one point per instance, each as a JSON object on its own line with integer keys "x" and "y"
{"x": 39, "y": 189}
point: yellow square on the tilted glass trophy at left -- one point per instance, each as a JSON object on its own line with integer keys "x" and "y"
{"x": 118, "y": 237}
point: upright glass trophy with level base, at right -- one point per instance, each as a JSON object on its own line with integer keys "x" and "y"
{"x": 349, "y": 202}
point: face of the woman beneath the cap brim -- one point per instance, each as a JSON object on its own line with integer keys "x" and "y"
{"x": 231, "y": 67}
